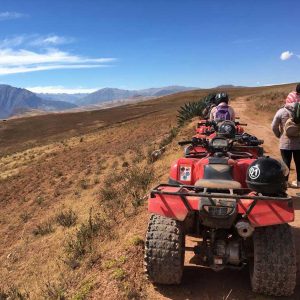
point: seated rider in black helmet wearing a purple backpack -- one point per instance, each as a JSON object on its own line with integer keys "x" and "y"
{"x": 222, "y": 111}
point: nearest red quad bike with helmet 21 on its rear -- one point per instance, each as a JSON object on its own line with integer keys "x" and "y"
{"x": 239, "y": 209}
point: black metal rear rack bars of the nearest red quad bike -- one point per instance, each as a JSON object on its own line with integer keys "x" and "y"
{"x": 194, "y": 191}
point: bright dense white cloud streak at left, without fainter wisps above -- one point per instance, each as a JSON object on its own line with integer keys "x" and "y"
{"x": 24, "y": 61}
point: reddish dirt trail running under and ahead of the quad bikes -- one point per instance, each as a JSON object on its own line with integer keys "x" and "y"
{"x": 202, "y": 283}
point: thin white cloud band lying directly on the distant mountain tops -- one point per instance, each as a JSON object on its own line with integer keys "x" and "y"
{"x": 61, "y": 89}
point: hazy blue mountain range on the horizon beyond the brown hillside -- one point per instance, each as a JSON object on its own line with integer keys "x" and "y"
{"x": 19, "y": 100}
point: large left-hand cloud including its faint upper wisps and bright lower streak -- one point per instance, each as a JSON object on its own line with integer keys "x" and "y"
{"x": 32, "y": 53}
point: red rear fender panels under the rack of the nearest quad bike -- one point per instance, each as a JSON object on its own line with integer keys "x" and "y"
{"x": 177, "y": 201}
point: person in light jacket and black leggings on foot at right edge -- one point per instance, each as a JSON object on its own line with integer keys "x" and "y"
{"x": 289, "y": 145}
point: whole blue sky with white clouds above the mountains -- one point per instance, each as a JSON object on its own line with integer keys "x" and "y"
{"x": 72, "y": 45}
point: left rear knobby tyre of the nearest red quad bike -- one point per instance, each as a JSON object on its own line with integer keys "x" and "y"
{"x": 164, "y": 250}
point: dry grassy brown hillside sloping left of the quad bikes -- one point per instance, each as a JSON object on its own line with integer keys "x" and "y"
{"x": 73, "y": 189}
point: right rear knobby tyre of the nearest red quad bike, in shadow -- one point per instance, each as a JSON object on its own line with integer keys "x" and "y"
{"x": 273, "y": 270}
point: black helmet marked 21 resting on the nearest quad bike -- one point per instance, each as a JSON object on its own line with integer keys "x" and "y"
{"x": 267, "y": 176}
